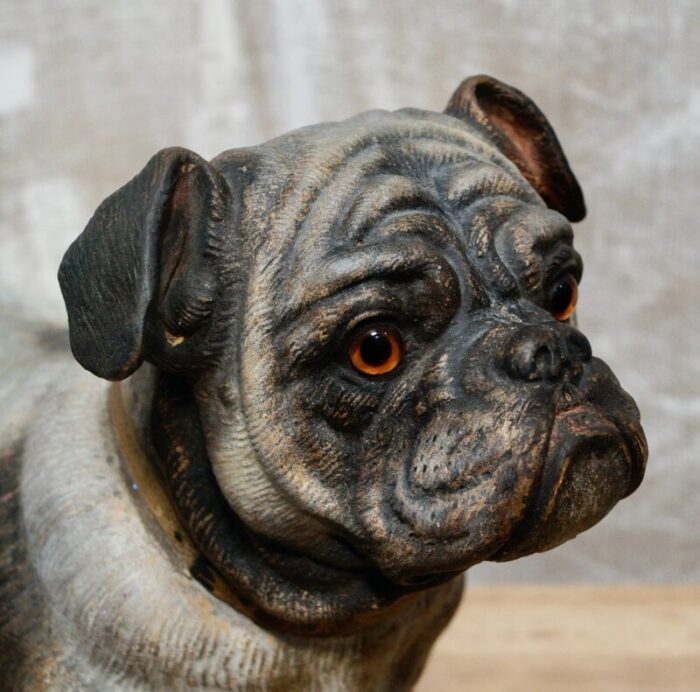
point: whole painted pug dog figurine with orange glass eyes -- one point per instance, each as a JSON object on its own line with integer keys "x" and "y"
{"x": 348, "y": 373}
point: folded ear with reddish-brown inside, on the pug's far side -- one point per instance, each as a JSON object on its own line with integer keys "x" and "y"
{"x": 519, "y": 129}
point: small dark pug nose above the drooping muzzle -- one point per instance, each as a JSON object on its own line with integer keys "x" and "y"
{"x": 543, "y": 352}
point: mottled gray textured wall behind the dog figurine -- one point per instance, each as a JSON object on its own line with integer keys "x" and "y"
{"x": 89, "y": 90}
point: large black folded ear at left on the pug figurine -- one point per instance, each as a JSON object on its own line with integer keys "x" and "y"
{"x": 145, "y": 252}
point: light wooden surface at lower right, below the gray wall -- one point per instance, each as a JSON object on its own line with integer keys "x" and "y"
{"x": 547, "y": 638}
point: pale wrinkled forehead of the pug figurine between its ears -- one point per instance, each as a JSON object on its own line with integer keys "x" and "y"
{"x": 329, "y": 180}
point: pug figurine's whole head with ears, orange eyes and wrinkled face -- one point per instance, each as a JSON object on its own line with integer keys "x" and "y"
{"x": 374, "y": 320}
